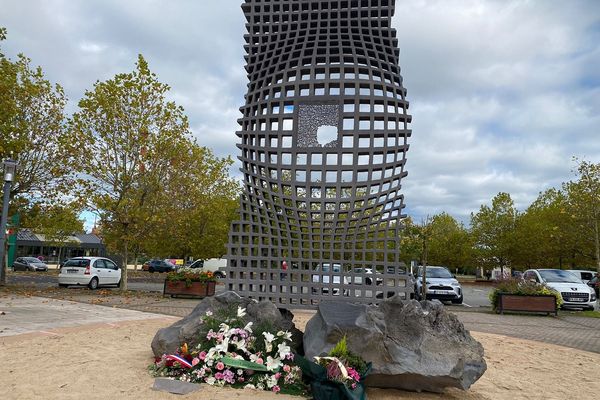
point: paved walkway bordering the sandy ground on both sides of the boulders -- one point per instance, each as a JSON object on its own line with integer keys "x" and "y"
{"x": 566, "y": 330}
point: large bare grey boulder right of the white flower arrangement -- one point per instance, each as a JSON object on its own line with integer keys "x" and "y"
{"x": 413, "y": 346}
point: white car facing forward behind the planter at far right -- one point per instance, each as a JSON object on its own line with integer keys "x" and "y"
{"x": 574, "y": 292}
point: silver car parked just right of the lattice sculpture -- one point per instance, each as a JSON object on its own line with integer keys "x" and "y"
{"x": 440, "y": 284}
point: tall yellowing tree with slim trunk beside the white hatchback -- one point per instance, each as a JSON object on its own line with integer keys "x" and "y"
{"x": 131, "y": 142}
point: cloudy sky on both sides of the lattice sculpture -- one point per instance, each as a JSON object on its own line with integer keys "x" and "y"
{"x": 503, "y": 93}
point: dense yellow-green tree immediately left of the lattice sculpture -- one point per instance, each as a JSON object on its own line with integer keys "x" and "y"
{"x": 199, "y": 205}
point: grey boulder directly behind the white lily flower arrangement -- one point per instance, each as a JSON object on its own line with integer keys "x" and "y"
{"x": 187, "y": 330}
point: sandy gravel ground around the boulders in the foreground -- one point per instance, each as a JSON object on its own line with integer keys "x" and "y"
{"x": 108, "y": 361}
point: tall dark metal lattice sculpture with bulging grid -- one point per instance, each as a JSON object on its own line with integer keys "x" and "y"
{"x": 323, "y": 142}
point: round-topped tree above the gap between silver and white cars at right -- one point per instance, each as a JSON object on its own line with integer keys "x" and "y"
{"x": 493, "y": 232}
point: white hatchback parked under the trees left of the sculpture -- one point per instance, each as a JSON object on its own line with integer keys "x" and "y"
{"x": 89, "y": 271}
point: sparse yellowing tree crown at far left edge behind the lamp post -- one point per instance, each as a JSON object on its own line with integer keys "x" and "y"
{"x": 33, "y": 131}
